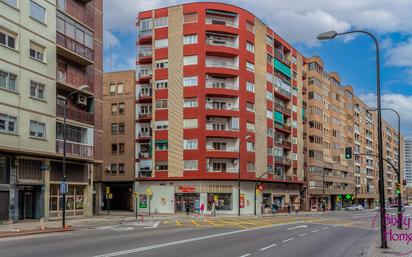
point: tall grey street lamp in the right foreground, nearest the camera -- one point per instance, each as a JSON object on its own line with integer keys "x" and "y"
{"x": 331, "y": 35}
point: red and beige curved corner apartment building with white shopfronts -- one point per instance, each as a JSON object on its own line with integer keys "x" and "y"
{"x": 219, "y": 93}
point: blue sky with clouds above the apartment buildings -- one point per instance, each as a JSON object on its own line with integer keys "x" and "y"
{"x": 299, "y": 22}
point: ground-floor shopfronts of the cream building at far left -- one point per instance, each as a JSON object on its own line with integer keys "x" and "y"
{"x": 29, "y": 187}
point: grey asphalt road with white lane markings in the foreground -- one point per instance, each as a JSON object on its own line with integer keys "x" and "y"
{"x": 284, "y": 240}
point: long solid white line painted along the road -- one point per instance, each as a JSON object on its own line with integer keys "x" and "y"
{"x": 184, "y": 241}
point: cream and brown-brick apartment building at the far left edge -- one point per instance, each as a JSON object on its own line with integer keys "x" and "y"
{"x": 48, "y": 50}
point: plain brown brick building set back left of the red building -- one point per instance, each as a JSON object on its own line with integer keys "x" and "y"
{"x": 118, "y": 173}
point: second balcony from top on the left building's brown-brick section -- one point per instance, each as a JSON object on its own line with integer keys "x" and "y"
{"x": 73, "y": 50}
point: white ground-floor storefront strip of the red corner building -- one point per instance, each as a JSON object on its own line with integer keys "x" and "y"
{"x": 182, "y": 195}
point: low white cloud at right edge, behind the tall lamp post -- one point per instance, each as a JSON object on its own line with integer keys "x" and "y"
{"x": 401, "y": 103}
